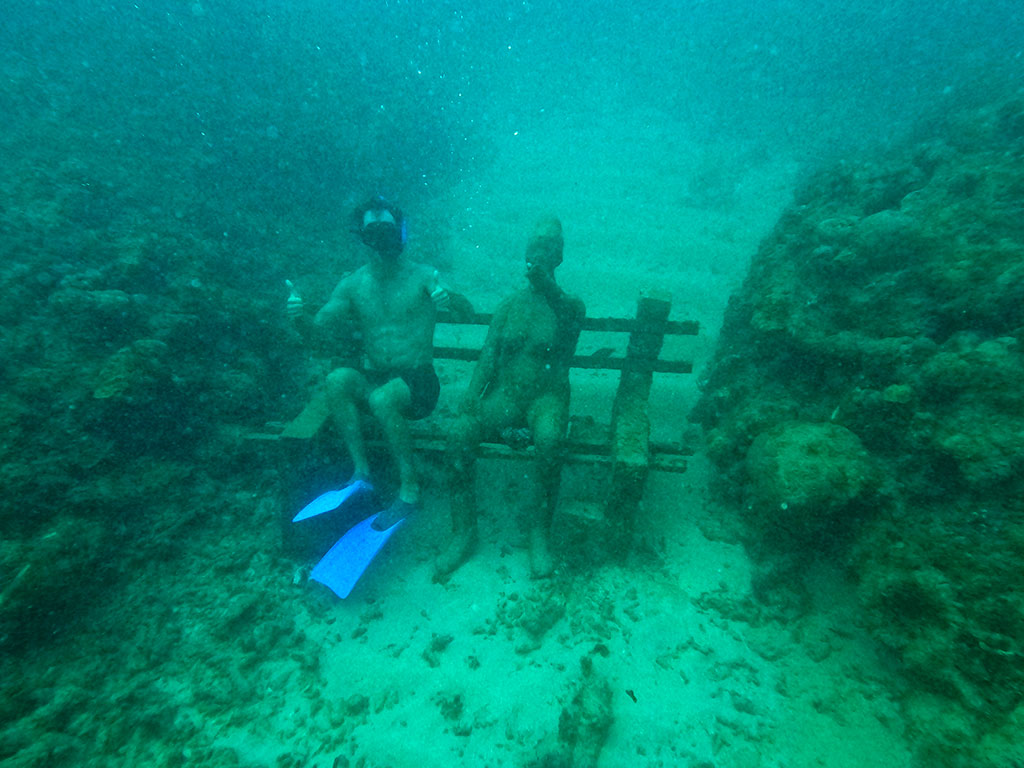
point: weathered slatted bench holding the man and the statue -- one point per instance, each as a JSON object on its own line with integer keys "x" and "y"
{"x": 624, "y": 444}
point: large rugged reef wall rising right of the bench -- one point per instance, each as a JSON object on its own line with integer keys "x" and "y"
{"x": 886, "y": 307}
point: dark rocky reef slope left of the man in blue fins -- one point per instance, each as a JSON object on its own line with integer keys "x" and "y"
{"x": 132, "y": 344}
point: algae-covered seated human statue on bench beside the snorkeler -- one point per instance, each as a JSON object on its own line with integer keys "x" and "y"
{"x": 520, "y": 390}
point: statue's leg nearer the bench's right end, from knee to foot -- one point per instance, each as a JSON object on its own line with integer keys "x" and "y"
{"x": 548, "y": 418}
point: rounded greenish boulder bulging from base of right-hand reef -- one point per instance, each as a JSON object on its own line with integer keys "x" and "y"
{"x": 804, "y": 476}
